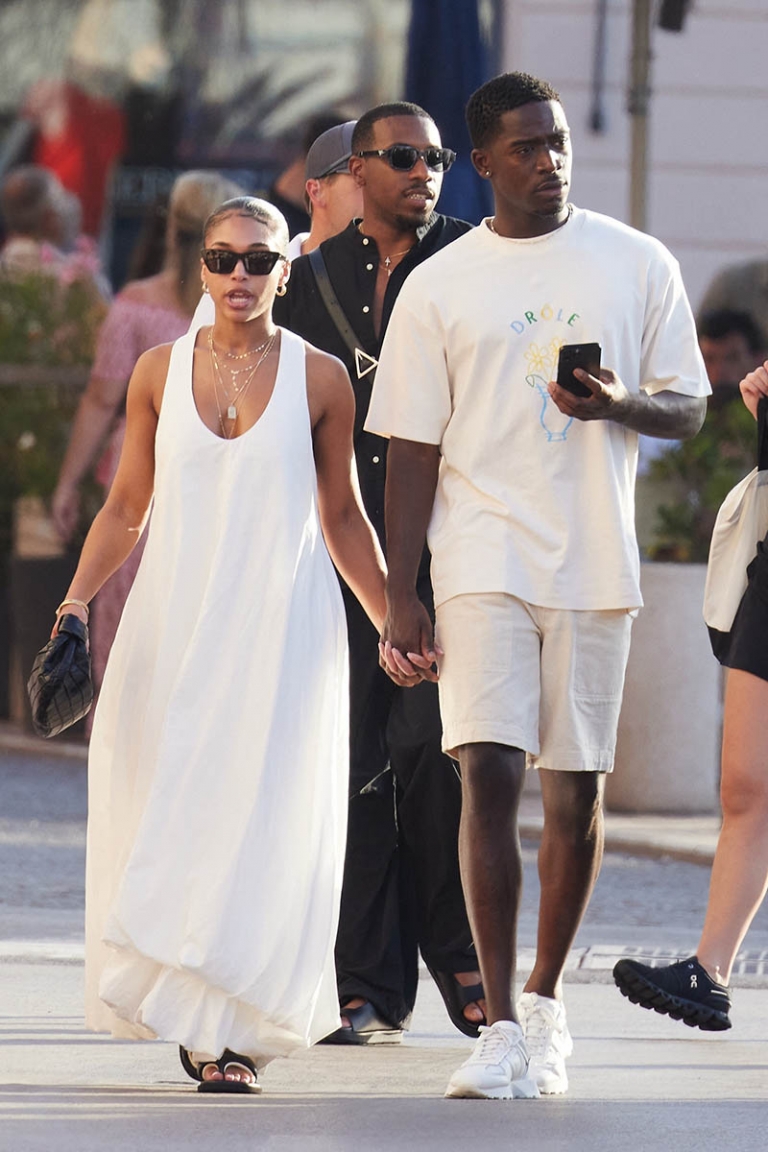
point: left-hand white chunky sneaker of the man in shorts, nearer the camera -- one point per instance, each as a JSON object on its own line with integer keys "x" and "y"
{"x": 498, "y": 1068}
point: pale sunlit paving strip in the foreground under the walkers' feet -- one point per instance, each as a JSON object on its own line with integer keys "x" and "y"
{"x": 638, "y": 1081}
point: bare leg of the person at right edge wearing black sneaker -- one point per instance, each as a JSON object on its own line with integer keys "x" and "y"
{"x": 740, "y": 874}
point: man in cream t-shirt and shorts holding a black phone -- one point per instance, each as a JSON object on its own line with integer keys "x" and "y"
{"x": 528, "y": 494}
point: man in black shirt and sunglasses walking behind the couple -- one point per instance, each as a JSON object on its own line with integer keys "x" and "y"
{"x": 402, "y": 889}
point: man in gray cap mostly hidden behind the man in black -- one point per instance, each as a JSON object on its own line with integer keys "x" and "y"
{"x": 332, "y": 194}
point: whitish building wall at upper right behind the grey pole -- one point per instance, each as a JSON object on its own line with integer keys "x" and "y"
{"x": 709, "y": 128}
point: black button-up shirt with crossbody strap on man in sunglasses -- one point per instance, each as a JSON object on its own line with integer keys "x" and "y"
{"x": 353, "y": 262}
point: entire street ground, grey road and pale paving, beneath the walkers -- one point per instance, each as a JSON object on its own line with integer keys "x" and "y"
{"x": 638, "y": 1081}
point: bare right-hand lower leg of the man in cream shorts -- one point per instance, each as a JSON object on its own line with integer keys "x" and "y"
{"x": 571, "y": 855}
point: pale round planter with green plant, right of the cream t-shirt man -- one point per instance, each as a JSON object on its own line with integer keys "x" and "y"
{"x": 668, "y": 748}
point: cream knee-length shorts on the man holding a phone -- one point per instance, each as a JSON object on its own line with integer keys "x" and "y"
{"x": 545, "y": 680}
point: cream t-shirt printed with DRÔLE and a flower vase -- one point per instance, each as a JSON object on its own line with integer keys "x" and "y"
{"x": 530, "y": 502}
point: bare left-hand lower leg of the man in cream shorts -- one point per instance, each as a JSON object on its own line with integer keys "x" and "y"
{"x": 490, "y": 857}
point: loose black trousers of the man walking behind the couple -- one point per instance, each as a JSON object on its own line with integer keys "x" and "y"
{"x": 402, "y": 890}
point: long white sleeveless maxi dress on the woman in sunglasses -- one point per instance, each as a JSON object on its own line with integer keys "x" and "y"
{"x": 218, "y": 767}
